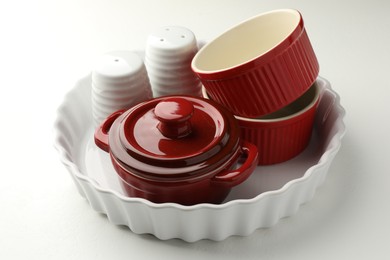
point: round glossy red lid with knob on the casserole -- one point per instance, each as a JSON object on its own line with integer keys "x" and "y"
{"x": 175, "y": 132}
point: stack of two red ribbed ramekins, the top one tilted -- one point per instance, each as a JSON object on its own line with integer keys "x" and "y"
{"x": 264, "y": 71}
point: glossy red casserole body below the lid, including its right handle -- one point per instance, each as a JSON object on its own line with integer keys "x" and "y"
{"x": 210, "y": 188}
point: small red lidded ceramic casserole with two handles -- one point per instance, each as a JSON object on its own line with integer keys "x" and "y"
{"x": 178, "y": 149}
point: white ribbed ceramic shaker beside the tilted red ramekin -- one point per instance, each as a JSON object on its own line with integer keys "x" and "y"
{"x": 168, "y": 55}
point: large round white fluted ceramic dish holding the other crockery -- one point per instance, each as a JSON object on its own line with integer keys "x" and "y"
{"x": 271, "y": 193}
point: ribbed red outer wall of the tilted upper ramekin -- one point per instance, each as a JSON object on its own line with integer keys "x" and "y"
{"x": 268, "y": 87}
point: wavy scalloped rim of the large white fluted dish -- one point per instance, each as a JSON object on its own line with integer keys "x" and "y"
{"x": 330, "y": 151}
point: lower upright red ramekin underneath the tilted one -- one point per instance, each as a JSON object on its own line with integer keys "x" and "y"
{"x": 282, "y": 137}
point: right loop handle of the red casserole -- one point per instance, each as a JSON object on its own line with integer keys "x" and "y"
{"x": 234, "y": 177}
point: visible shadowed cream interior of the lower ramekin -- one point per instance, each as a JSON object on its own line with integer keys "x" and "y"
{"x": 298, "y": 107}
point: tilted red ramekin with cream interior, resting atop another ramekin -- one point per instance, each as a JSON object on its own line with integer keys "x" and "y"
{"x": 265, "y": 83}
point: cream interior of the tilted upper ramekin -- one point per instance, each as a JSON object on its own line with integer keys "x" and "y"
{"x": 246, "y": 41}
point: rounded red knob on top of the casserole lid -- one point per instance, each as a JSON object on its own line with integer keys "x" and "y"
{"x": 174, "y": 114}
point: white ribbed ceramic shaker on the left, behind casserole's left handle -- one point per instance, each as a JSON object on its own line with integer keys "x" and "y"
{"x": 119, "y": 81}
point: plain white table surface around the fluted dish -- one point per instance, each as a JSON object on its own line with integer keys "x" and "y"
{"x": 45, "y": 46}
